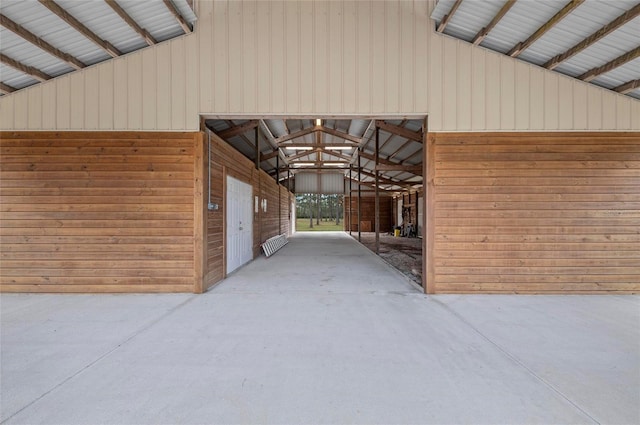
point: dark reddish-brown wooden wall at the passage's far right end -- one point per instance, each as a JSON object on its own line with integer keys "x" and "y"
{"x": 367, "y": 213}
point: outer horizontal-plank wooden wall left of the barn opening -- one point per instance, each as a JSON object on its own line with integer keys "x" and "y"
{"x": 97, "y": 212}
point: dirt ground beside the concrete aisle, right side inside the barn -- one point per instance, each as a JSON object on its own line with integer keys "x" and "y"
{"x": 405, "y": 254}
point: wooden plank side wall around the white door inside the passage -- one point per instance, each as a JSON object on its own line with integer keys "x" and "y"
{"x": 227, "y": 161}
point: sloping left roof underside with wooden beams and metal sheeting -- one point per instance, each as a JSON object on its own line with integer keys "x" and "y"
{"x": 43, "y": 39}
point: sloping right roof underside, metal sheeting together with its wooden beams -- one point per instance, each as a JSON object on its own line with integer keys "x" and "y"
{"x": 597, "y": 41}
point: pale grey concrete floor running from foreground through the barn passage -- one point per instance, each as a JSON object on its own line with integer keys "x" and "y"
{"x": 322, "y": 332}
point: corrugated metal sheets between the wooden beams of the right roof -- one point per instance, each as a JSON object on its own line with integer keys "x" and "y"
{"x": 526, "y": 16}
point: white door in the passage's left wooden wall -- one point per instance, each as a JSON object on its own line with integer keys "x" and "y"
{"x": 239, "y": 223}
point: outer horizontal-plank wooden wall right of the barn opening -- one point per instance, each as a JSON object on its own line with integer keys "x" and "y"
{"x": 533, "y": 212}
